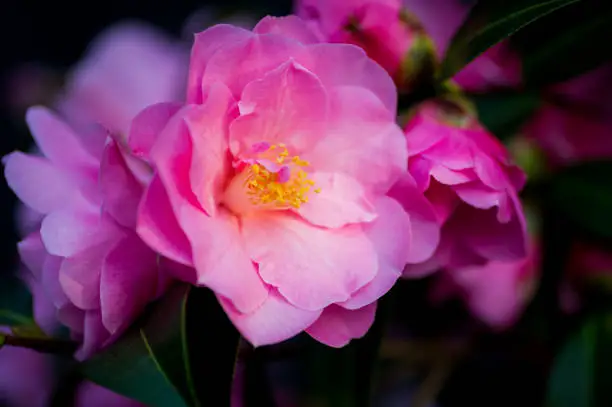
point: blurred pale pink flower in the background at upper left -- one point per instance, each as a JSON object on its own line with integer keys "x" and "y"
{"x": 128, "y": 67}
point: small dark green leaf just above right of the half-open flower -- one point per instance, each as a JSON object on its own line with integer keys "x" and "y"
{"x": 504, "y": 113}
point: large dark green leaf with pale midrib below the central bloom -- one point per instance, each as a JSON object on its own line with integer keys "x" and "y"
{"x": 181, "y": 351}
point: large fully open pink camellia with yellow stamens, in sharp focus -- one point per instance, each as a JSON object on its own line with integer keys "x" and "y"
{"x": 272, "y": 182}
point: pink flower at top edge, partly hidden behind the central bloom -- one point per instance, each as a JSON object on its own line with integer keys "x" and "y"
{"x": 383, "y": 28}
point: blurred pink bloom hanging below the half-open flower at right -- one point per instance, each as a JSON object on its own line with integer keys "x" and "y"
{"x": 497, "y": 292}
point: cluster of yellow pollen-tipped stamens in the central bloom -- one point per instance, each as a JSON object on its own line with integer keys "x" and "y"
{"x": 283, "y": 185}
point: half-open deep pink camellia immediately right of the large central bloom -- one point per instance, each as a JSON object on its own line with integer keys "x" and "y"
{"x": 467, "y": 175}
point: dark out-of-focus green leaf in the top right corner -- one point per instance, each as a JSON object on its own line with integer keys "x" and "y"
{"x": 567, "y": 47}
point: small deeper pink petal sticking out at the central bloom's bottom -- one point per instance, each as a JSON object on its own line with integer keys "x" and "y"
{"x": 337, "y": 326}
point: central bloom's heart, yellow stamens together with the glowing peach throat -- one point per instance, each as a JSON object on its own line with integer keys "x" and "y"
{"x": 272, "y": 179}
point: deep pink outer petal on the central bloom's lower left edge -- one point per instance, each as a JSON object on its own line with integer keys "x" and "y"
{"x": 158, "y": 226}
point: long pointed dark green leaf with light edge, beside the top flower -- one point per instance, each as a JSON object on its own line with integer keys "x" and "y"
{"x": 489, "y": 22}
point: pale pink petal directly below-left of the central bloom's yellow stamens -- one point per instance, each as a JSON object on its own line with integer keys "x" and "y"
{"x": 220, "y": 260}
